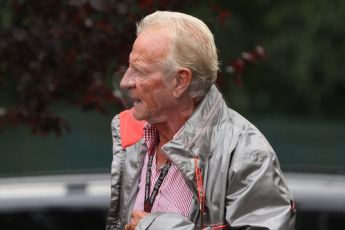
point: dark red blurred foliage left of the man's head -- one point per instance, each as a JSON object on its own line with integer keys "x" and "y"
{"x": 63, "y": 53}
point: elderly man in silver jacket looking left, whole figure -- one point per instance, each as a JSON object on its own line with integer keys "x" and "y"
{"x": 181, "y": 158}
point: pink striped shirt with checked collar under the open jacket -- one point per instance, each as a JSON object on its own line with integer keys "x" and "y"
{"x": 174, "y": 194}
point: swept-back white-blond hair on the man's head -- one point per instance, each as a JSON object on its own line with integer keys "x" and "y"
{"x": 192, "y": 47}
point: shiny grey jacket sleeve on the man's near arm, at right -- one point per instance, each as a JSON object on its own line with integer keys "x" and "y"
{"x": 257, "y": 196}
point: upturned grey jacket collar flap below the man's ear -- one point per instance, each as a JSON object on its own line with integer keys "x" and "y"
{"x": 194, "y": 140}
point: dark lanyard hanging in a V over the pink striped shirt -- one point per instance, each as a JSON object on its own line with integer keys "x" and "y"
{"x": 149, "y": 199}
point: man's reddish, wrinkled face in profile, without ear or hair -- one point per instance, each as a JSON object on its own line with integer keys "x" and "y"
{"x": 145, "y": 80}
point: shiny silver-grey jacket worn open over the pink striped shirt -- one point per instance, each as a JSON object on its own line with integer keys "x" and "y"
{"x": 243, "y": 182}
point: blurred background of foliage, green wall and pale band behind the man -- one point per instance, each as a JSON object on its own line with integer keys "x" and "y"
{"x": 282, "y": 67}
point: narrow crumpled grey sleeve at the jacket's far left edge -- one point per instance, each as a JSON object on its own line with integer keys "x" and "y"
{"x": 114, "y": 220}
